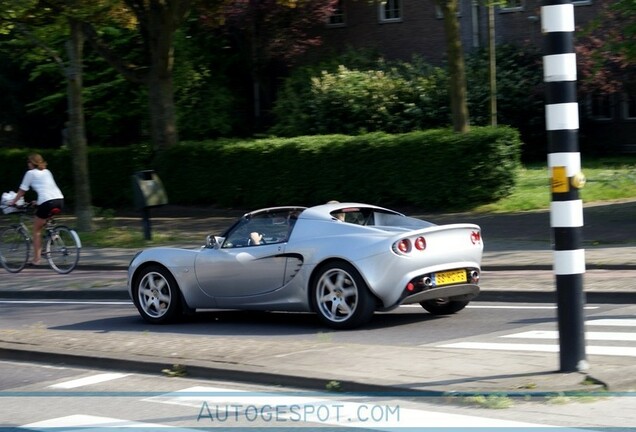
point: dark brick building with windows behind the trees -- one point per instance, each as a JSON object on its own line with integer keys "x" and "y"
{"x": 398, "y": 29}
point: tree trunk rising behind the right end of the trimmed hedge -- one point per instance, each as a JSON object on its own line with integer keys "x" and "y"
{"x": 456, "y": 67}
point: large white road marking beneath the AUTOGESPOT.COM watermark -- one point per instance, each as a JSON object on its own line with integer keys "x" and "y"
{"x": 227, "y": 405}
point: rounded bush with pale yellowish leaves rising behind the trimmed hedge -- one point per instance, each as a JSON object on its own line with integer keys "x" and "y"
{"x": 392, "y": 97}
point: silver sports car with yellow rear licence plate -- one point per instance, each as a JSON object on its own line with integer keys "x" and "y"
{"x": 343, "y": 261}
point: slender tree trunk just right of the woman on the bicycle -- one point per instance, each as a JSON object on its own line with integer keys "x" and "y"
{"x": 76, "y": 132}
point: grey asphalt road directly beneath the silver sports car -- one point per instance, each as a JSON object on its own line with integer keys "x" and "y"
{"x": 407, "y": 326}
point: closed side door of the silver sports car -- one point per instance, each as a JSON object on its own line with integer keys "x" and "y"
{"x": 241, "y": 271}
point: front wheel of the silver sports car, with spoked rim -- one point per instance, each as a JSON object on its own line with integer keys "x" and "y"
{"x": 156, "y": 295}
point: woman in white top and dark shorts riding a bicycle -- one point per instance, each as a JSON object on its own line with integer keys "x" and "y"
{"x": 50, "y": 197}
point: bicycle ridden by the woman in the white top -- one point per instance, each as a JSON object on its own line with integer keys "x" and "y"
{"x": 62, "y": 244}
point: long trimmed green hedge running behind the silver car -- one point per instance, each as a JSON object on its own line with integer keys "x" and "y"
{"x": 432, "y": 170}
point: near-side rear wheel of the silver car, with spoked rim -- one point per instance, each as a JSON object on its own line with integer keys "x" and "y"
{"x": 340, "y": 296}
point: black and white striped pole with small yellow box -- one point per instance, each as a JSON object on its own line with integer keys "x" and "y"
{"x": 564, "y": 163}
